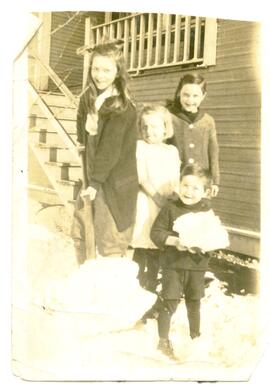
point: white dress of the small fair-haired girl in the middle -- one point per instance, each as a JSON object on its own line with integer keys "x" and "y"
{"x": 158, "y": 164}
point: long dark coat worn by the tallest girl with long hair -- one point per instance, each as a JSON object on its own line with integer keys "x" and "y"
{"x": 111, "y": 159}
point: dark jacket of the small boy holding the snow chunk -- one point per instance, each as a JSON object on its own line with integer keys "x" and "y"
{"x": 170, "y": 257}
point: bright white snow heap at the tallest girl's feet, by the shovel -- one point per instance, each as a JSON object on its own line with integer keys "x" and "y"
{"x": 102, "y": 286}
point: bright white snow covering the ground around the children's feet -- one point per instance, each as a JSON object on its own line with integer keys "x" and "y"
{"x": 73, "y": 322}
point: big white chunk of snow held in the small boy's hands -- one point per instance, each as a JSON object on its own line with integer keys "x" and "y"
{"x": 202, "y": 230}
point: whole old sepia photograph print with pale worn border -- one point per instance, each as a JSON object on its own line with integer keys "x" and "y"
{"x": 136, "y": 201}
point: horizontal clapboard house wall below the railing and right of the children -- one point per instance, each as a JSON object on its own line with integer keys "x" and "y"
{"x": 233, "y": 99}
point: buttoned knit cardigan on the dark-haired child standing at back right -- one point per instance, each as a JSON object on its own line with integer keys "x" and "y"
{"x": 197, "y": 140}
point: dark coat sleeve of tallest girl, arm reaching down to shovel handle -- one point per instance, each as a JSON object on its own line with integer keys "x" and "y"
{"x": 110, "y": 146}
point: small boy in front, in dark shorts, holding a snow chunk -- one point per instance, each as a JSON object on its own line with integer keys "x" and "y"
{"x": 183, "y": 267}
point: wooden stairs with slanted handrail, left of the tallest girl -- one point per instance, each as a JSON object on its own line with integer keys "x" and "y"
{"x": 52, "y": 144}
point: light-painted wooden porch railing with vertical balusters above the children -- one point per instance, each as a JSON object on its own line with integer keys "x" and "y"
{"x": 159, "y": 40}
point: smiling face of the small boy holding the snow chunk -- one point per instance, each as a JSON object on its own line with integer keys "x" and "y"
{"x": 191, "y": 189}
